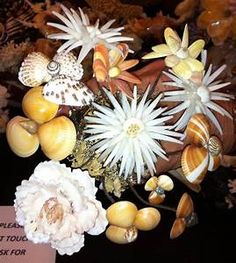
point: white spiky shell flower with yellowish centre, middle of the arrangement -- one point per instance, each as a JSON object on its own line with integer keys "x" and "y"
{"x": 130, "y": 133}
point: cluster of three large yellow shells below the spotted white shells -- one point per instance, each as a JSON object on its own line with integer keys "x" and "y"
{"x": 55, "y": 134}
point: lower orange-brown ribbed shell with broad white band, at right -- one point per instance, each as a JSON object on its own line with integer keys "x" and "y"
{"x": 194, "y": 163}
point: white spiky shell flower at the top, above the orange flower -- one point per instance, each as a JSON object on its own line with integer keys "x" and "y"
{"x": 79, "y": 32}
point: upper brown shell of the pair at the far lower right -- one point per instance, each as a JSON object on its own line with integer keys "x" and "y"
{"x": 185, "y": 206}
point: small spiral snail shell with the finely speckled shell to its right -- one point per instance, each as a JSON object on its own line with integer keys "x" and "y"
{"x": 66, "y": 65}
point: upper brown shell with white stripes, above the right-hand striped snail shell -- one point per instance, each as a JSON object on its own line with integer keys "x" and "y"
{"x": 197, "y": 130}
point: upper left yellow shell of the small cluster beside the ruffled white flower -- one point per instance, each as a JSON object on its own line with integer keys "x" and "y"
{"x": 122, "y": 213}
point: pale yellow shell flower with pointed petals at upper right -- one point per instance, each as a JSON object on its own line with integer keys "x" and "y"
{"x": 179, "y": 56}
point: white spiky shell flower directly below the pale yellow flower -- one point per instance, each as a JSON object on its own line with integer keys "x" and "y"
{"x": 197, "y": 97}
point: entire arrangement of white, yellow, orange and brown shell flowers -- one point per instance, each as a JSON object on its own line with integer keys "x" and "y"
{"x": 113, "y": 137}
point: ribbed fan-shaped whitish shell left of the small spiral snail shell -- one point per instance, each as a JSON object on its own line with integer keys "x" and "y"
{"x": 33, "y": 71}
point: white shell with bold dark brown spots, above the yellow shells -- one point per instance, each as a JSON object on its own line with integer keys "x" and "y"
{"x": 64, "y": 90}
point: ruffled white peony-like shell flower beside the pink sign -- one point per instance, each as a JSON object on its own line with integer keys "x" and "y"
{"x": 57, "y": 206}
